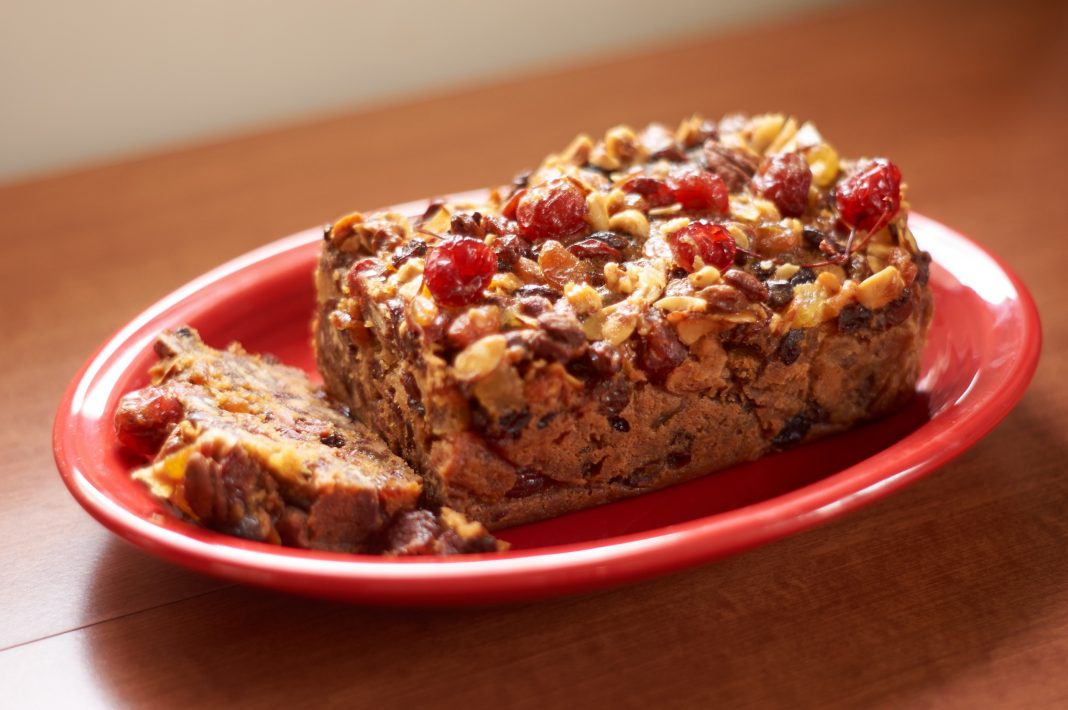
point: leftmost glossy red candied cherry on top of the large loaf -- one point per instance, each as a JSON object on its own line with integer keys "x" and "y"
{"x": 459, "y": 270}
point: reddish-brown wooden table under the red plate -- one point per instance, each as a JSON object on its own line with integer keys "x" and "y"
{"x": 953, "y": 593}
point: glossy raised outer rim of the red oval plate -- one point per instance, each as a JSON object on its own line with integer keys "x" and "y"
{"x": 541, "y": 572}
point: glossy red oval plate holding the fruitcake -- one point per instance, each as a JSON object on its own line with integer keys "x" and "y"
{"x": 983, "y": 351}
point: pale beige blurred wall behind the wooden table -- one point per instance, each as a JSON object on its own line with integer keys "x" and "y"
{"x": 86, "y": 82}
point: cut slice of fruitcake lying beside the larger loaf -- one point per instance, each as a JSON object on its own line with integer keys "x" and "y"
{"x": 247, "y": 447}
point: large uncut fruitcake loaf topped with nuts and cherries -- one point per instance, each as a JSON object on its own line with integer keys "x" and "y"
{"x": 638, "y": 311}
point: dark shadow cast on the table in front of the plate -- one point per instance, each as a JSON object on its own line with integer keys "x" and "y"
{"x": 907, "y": 594}
